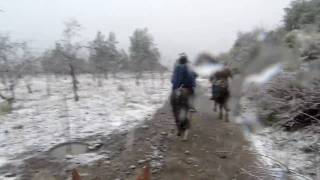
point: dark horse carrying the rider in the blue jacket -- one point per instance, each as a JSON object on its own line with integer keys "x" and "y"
{"x": 181, "y": 110}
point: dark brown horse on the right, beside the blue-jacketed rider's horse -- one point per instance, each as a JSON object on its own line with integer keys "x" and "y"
{"x": 220, "y": 91}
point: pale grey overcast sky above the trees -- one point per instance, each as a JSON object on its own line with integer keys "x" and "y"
{"x": 189, "y": 26}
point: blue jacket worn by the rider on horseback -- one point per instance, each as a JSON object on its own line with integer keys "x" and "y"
{"x": 182, "y": 77}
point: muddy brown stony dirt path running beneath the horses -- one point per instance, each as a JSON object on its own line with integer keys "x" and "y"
{"x": 215, "y": 150}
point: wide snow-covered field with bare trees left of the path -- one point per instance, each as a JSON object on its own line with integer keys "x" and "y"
{"x": 40, "y": 121}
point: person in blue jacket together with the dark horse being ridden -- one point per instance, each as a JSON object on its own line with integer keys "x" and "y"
{"x": 183, "y": 81}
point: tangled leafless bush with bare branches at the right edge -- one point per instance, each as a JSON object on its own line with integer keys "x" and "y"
{"x": 290, "y": 102}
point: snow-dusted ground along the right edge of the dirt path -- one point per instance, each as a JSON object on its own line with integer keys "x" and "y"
{"x": 281, "y": 151}
